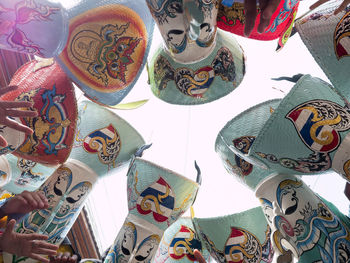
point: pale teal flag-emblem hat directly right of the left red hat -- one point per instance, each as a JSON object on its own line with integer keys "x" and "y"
{"x": 103, "y": 140}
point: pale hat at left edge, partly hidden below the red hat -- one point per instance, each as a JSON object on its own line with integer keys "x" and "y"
{"x": 23, "y": 174}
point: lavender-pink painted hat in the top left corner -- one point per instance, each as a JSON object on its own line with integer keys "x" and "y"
{"x": 36, "y": 27}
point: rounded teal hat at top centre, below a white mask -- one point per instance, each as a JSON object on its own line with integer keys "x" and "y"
{"x": 200, "y": 82}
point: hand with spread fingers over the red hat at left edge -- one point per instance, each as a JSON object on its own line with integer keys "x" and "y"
{"x": 10, "y": 109}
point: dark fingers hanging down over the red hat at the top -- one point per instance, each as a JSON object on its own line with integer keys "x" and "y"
{"x": 267, "y": 8}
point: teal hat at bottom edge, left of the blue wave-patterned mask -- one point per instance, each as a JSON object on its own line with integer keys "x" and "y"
{"x": 241, "y": 237}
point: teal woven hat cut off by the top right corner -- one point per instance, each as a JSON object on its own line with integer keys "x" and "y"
{"x": 327, "y": 37}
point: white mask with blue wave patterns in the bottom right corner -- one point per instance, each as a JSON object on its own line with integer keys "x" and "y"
{"x": 301, "y": 222}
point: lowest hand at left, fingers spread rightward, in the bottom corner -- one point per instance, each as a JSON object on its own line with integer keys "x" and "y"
{"x": 28, "y": 245}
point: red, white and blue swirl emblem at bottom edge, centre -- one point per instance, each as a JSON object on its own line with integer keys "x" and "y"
{"x": 183, "y": 244}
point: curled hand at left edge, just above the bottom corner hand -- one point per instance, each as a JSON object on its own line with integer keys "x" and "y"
{"x": 25, "y": 202}
